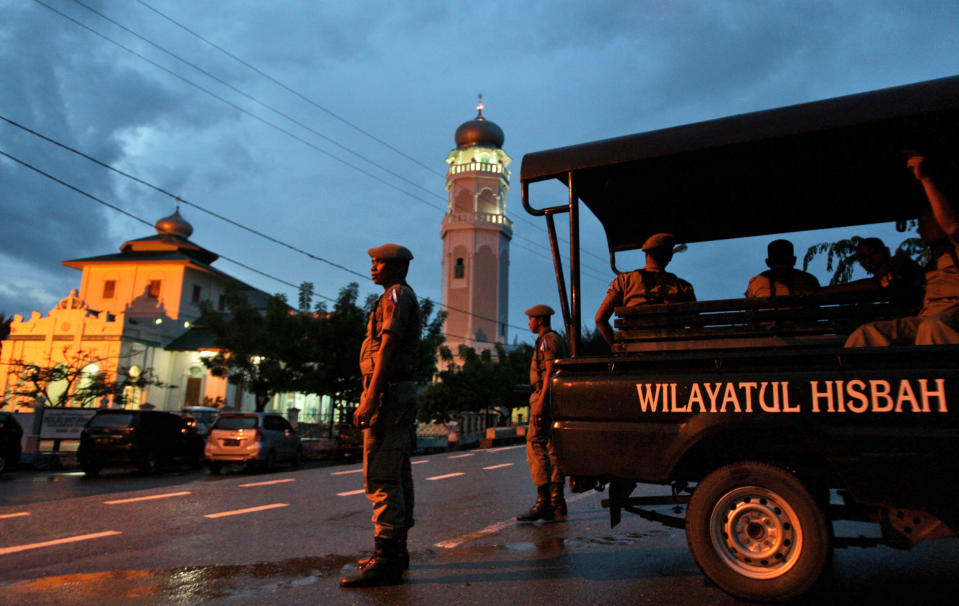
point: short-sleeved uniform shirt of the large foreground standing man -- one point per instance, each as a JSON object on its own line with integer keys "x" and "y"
{"x": 397, "y": 312}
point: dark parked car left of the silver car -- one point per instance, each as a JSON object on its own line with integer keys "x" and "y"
{"x": 148, "y": 439}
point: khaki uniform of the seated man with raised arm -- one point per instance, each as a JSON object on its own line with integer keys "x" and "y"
{"x": 938, "y": 320}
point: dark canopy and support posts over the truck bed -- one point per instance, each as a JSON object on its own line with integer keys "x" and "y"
{"x": 831, "y": 163}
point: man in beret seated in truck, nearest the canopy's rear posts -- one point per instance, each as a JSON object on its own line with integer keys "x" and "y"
{"x": 651, "y": 284}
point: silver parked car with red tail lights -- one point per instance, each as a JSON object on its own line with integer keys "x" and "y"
{"x": 256, "y": 439}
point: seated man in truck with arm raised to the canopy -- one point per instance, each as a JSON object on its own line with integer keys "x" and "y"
{"x": 938, "y": 320}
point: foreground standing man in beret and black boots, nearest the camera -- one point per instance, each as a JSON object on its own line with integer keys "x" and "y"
{"x": 386, "y": 414}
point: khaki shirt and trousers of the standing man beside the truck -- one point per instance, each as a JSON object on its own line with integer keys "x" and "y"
{"x": 539, "y": 444}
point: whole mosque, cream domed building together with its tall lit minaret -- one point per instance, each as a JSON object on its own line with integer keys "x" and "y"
{"x": 135, "y": 309}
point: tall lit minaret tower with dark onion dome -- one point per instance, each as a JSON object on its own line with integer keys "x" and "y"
{"x": 476, "y": 235}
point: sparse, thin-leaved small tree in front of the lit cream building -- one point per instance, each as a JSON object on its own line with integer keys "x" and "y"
{"x": 72, "y": 380}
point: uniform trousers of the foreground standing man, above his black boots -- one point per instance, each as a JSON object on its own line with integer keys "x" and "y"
{"x": 387, "y": 473}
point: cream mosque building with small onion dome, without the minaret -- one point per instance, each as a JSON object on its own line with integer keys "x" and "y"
{"x": 135, "y": 312}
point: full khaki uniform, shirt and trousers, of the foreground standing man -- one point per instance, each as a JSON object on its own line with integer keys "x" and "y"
{"x": 387, "y": 446}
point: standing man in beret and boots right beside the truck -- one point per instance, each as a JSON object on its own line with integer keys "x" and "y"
{"x": 550, "y": 502}
